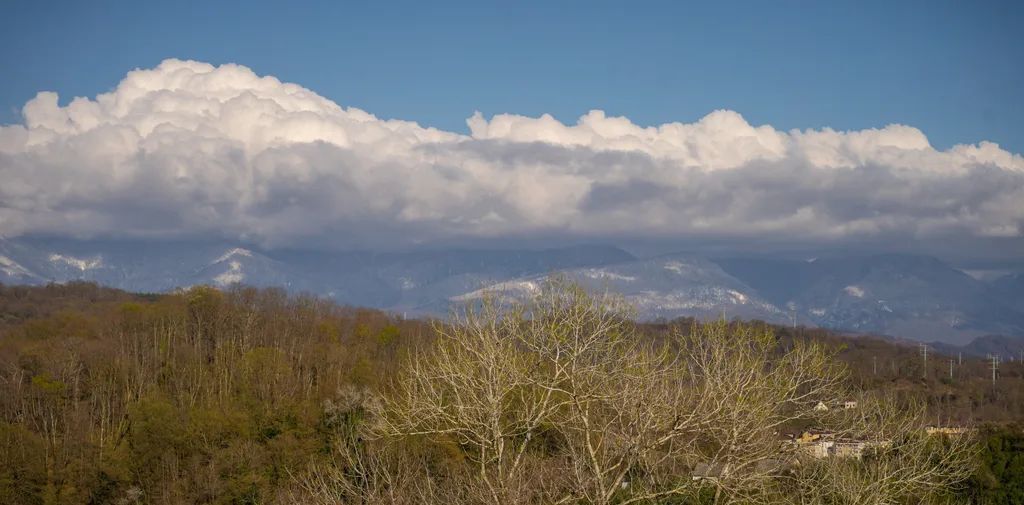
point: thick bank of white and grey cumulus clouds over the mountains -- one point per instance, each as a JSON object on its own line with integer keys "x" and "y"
{"x": 192, "y": 150}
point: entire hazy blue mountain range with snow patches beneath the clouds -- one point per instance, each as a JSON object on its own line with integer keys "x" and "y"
{"x": 909, "y": 297}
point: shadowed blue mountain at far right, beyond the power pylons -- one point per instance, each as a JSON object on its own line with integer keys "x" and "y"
{"x": 905, "y": 296}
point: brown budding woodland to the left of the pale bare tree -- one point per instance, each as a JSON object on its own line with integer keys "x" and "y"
{"x": 202, "y": 397}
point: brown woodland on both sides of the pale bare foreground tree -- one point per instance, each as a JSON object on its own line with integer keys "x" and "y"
{"x": 250, "y": 396}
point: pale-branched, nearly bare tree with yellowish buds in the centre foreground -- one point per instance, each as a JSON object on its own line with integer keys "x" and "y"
{"x": 560, "y": 400}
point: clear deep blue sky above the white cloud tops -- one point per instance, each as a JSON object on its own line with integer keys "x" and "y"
{"x": 952, "y": 69}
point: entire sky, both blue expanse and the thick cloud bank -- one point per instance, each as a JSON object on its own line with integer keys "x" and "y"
{"x": 192, "y": 146}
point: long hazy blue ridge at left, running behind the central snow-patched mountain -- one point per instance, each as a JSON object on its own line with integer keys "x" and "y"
{"x": 414, "y": 282}
